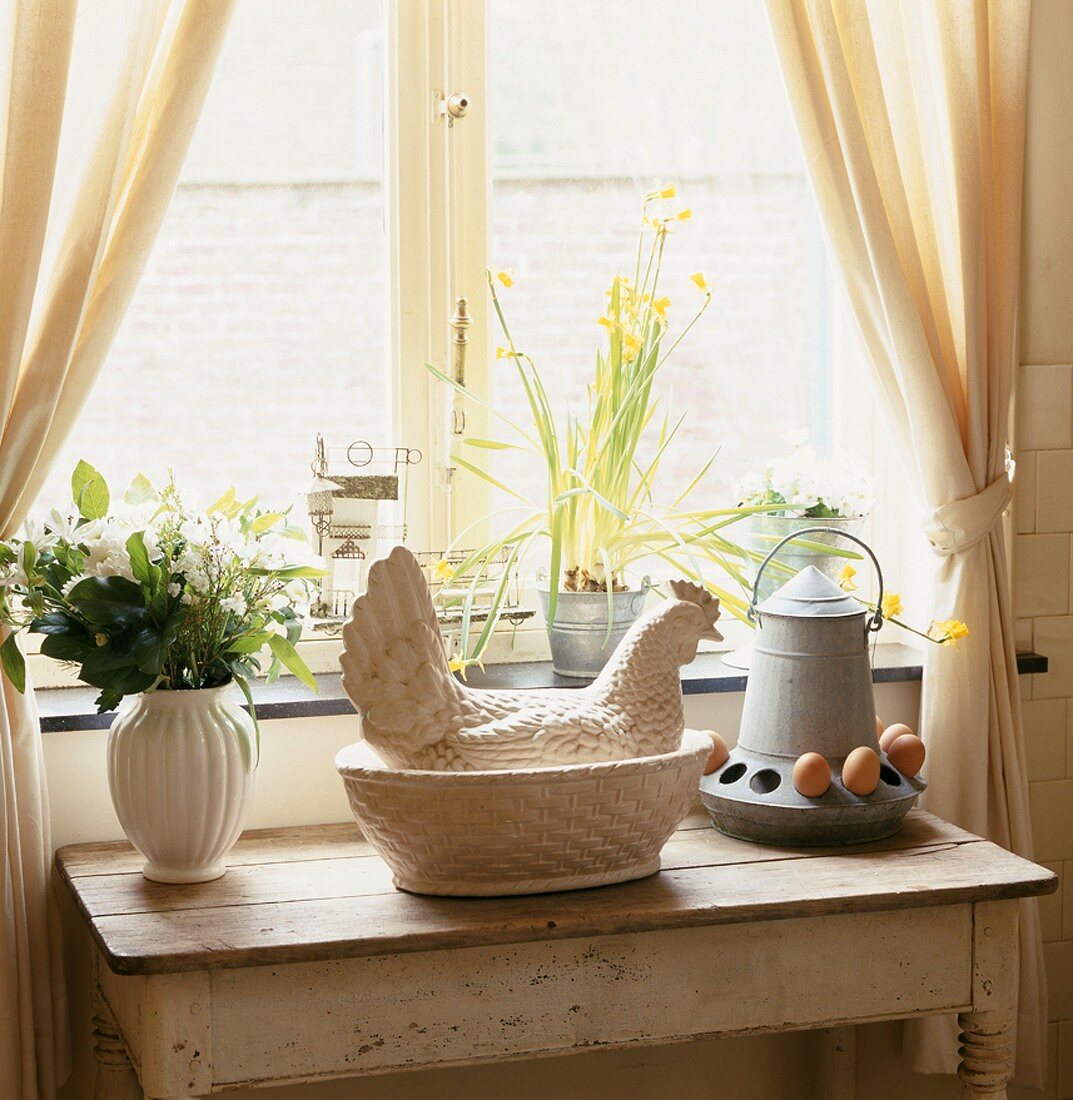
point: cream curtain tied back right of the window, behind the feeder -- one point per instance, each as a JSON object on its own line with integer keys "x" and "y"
{"x": 913, "y": 118}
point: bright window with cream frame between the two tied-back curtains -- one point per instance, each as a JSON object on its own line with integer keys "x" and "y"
{"x": 335, "y": 206}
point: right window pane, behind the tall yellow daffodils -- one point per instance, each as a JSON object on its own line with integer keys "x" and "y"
{"x": 583, "y": 125}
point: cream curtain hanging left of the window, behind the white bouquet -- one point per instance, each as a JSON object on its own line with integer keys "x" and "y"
{"x": 56, "y": 331}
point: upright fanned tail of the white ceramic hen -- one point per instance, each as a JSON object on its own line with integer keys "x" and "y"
{"x": 395, "y": 668}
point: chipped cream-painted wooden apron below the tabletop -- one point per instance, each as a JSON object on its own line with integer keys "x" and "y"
{"x": 306, "y": 1021}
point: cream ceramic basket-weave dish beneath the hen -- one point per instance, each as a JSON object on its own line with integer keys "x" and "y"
{"x": 528, "y": 831}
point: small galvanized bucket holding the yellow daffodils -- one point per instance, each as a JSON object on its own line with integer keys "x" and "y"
{"x": 582, "y": 643}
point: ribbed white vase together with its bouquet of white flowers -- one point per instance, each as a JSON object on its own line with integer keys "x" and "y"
{"x": 173, "y": 608}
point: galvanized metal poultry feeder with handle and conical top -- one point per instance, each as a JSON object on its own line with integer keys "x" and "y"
{"x": 809, "y": 691}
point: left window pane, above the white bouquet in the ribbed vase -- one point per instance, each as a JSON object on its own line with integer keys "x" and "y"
{"x": 262, "y": 316}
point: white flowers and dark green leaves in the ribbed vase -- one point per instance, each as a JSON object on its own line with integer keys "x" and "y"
{"x": 148, "y": 596}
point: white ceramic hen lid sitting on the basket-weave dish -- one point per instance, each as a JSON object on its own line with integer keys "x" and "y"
{"x": 415, "y": 714}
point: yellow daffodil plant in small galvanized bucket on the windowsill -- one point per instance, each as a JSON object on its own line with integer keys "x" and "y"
{"x": 598, "y": 514}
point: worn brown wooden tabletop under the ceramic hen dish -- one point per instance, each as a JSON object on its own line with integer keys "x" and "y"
{"x": 321, "y": 893}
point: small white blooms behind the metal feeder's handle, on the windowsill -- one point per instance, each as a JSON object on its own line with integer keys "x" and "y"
{"x": 812, "y": 488}
